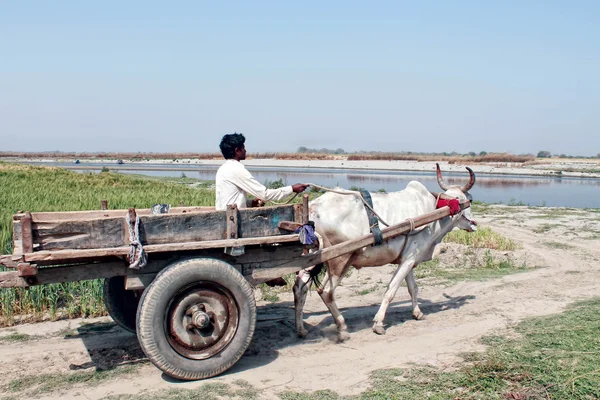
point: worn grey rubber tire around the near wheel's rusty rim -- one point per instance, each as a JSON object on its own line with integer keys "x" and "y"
{"x": 153, "y": 310}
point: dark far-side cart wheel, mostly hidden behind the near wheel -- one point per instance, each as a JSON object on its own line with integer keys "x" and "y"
{"x": 121, "y": 304}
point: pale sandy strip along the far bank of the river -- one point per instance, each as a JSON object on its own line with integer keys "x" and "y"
{"x": 553, "y": 167}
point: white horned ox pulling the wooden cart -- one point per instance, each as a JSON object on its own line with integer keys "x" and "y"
{"x": 339, "y": 218}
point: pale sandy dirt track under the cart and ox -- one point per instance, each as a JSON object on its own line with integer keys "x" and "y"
{"x": 562, "y": 245}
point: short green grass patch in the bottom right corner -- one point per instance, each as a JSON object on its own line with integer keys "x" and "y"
{"x": 553, "y": 357}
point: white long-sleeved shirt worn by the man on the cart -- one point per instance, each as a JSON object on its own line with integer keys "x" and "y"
{"x": 234, "y": 181}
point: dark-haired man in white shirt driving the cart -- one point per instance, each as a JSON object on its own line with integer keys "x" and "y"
{"x": 234, "y": 181}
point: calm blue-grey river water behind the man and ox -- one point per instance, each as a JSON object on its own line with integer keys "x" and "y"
{"x": 528, "y": 190}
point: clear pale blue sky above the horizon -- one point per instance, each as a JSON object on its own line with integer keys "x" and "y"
{"x": 516, "y": 76}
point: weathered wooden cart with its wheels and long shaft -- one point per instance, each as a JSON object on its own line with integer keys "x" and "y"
{"x": 192, "y": 305}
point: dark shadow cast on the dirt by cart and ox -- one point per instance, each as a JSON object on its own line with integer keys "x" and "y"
{"x": 109, "y": 346}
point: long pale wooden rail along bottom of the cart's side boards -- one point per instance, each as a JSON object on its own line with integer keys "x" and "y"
{"x": 64, "y": 255}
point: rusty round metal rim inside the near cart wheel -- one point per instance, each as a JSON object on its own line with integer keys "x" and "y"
{"x": 201, "y": 320}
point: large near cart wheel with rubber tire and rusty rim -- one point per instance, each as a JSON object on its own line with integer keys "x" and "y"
{"x": 197, "y": 318}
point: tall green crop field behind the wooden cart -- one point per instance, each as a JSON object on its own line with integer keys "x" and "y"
{"x": 29, "y": 188}
